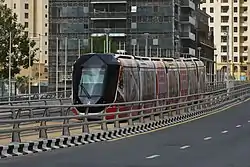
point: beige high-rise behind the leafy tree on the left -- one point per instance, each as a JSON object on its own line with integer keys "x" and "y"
{"x": 33, "y": 14}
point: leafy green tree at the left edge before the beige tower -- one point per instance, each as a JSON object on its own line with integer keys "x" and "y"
{"x": 21, "y": 45}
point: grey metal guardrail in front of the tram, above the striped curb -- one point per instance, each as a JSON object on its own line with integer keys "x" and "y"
{"x": 160, "y": 108}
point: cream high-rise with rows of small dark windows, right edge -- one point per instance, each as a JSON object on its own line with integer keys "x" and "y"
{"x": 229, "y": 22}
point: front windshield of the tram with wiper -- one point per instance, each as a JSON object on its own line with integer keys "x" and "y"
{"x": 91, "y": 84}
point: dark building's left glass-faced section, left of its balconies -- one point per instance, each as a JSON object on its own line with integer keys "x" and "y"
{"x": 68, "y": 36}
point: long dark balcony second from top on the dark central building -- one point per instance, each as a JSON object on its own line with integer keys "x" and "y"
{"x": 109, "y": 16}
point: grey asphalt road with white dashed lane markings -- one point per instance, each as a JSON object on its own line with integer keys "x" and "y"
{"x": 220, "y": 140}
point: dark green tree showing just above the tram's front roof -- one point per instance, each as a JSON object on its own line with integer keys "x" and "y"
{"x": 98, "y": 45}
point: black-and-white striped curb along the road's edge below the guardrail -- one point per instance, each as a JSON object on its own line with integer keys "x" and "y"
{"x": 20, "y": 149}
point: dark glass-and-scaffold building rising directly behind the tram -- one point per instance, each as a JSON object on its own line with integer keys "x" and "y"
{"x": 142, "y": 27}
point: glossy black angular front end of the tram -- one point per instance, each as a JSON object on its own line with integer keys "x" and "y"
{"x": 95, "y": 78}
